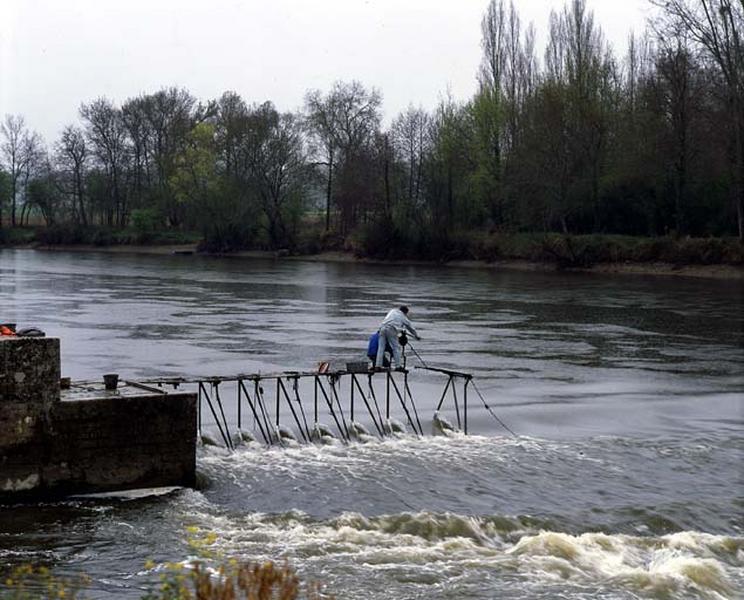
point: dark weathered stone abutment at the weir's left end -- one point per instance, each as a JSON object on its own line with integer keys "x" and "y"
{"x": 51, "y": 447}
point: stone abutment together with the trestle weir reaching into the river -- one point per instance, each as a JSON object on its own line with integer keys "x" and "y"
{"x": 59, "y": 437}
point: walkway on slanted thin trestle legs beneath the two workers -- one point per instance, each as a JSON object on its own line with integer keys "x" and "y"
{"x": 255, "y": 392}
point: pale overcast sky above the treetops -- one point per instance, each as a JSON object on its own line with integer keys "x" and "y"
{"x": 55, "y": 54}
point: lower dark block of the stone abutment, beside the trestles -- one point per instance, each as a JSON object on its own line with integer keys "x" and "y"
{"x": 118, "y": 443}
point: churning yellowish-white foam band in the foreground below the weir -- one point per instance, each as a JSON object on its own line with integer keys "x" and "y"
{"x": 420, "y": 545}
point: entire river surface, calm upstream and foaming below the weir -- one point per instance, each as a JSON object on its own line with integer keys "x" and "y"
{"x": 626, "y": 480}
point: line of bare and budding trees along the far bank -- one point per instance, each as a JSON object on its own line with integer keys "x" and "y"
{"x": 580, "y": 141}
